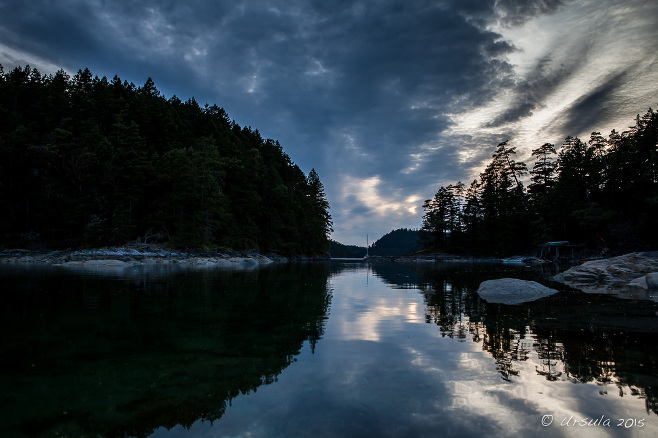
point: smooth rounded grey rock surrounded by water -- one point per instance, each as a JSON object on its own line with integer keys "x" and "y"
{"x": 513, "y": 291}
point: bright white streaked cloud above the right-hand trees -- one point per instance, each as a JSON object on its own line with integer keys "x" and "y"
{"x": 569, "y": 77}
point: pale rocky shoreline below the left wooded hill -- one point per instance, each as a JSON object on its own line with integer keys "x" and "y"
{"x": 144, "y": 254}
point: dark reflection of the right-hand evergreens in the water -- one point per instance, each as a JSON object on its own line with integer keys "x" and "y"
{"x": 577, "y": 337}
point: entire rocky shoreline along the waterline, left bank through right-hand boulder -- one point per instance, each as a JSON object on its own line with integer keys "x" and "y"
{"x": 632, "y": 275}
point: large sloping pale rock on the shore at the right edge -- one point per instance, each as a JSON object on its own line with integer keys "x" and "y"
{"x": 617, "y": 275}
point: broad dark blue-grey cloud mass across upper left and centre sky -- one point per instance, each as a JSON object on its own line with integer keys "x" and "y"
{"x": 378, "y": 65}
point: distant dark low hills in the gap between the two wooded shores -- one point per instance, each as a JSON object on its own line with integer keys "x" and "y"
{"x": 398, "y": 242}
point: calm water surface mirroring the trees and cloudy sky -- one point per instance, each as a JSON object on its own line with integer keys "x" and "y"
{"x": 341, "y": 349}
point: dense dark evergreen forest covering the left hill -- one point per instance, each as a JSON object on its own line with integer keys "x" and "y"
{"x": 87, "y": 161}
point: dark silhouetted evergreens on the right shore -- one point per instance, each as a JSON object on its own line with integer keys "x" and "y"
{"x": 602, "y": 194}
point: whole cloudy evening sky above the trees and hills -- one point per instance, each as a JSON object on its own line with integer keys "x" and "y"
{"x": 386, "y": 99}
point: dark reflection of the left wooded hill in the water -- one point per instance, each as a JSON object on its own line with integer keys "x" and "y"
{"x": 113, "y": 355}
